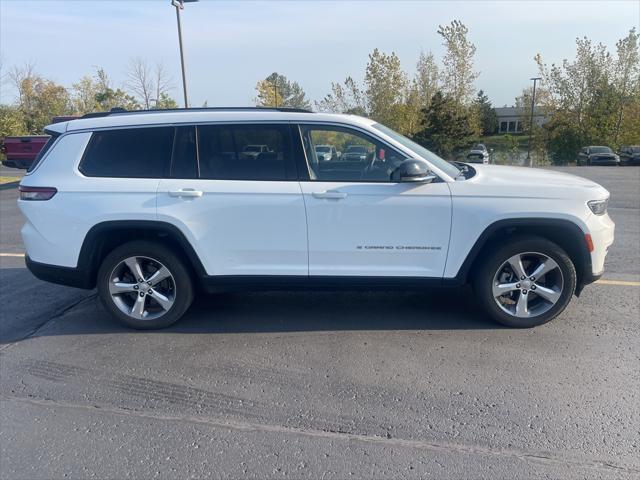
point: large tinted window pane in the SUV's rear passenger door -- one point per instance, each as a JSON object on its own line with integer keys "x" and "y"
{"x": 245, "y": 152}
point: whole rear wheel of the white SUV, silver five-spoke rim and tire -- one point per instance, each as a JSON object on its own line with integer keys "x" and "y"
{"x": 144, "y": 285}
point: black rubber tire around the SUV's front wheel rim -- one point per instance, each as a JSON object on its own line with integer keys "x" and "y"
{"x": 487, "y": 269}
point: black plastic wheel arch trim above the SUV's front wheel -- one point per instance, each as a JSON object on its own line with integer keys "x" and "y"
{"x": 565, "y": 233}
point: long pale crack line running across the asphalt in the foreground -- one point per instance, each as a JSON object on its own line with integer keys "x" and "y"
{"x": 434, "y": 446}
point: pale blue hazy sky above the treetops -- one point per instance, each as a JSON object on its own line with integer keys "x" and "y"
{"x": 230, "y": 45}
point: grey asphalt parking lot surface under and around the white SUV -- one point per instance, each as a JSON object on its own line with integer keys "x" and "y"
{"x": 323, "y": 385}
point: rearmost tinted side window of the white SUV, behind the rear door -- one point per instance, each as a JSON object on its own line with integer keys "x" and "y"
{"x": 130, "y": 152}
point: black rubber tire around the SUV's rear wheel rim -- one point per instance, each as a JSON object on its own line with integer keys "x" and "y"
{"x": 180, "y": 280}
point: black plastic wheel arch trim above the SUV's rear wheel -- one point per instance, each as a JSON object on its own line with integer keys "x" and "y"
{"x": 103, "y": 237}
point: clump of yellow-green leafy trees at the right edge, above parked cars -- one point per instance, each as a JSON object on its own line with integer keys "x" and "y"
{"x": 588, "y": 98}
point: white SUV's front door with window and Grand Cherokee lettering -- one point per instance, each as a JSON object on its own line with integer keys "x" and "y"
{"x": 360, "y": 223}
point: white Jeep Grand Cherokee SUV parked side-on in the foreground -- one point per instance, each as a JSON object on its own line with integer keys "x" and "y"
{"x": 145, "y": 206}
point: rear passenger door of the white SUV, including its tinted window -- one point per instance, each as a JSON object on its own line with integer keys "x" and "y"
{"x": 243, "y": 213}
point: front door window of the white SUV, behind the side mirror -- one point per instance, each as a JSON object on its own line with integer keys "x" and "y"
{"x": 336, "y": 154}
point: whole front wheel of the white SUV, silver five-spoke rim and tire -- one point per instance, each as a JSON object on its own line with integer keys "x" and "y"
{"x": 526, "y": 282}
